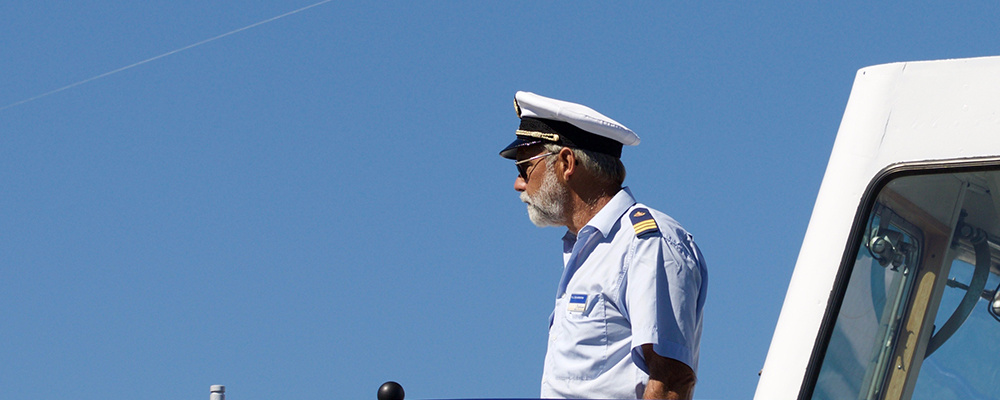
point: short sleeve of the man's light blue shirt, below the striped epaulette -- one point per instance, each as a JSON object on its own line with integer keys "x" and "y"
{"x": 661, "y": 294}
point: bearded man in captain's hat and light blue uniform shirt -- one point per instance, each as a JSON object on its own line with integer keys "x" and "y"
{"x": 628, "y": 311}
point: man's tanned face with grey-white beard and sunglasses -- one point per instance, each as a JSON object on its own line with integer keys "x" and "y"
{"x": 541, "y": 189}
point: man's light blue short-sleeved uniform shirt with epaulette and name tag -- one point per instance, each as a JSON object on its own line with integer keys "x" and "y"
{"x": 620, "y": 291}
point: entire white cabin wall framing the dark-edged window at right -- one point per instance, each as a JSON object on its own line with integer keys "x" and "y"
{"x": 897, "y": 113}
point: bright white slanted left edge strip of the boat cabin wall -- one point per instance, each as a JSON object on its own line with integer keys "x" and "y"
{"x": 843, "y": 185}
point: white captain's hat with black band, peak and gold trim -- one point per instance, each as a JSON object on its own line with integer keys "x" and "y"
{"x": 547, "y": 120}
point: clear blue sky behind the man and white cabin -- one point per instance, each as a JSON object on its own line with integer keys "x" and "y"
{"x": 313, "y": 206}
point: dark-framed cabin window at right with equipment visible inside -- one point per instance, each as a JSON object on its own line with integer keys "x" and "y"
{"x": 917, "y": 319}
